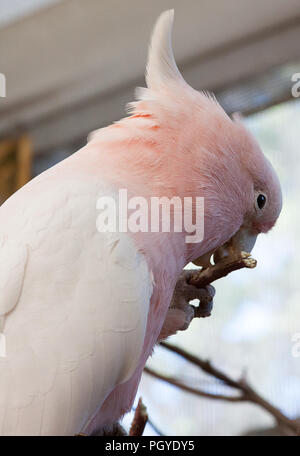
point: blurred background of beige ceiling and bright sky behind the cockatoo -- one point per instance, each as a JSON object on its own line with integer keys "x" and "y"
{"x": 70, "y": 67}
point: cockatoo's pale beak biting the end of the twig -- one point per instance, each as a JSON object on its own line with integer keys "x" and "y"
{"x": 243, "y": 241}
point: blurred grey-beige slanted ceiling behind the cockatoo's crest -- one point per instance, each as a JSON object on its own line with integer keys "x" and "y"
{"x": 72, "y": 66}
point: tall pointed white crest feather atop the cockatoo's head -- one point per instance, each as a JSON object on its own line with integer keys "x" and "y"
{"x": 161, "y": 66}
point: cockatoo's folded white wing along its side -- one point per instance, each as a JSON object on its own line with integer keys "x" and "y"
{"x": 79, "y": 311}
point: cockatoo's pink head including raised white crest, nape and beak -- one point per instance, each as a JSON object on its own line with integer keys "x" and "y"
{"x": 180, "y": 142}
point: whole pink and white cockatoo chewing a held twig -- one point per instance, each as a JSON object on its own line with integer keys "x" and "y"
{"x": 81, "y": 309}
